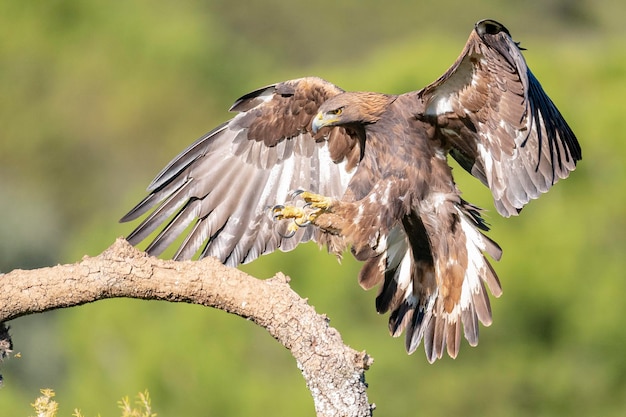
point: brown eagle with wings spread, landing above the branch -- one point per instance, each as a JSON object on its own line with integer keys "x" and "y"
{"x": 305, "y": 160}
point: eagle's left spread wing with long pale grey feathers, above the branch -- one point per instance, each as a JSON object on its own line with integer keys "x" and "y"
{"x": 226, "y": 181}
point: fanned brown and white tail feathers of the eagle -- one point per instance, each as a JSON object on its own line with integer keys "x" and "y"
{"x": 432, "y": 285}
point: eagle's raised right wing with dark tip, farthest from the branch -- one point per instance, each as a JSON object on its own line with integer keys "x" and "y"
{"x": 501, "y": 125}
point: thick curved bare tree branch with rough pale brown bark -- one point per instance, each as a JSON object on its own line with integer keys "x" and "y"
{"x": 334, "y": 373}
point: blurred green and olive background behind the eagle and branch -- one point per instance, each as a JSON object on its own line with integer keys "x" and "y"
{"x": 96, "y": 97}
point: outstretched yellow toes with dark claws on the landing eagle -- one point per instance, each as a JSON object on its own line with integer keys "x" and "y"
{"x": 302, "y": 216}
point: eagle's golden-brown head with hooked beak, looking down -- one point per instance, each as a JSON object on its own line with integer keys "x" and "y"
{"x": 353, "y": 108}
